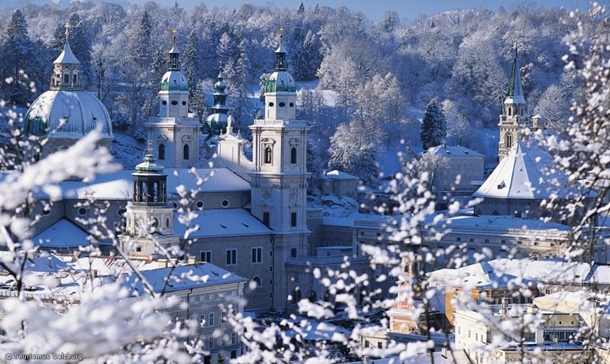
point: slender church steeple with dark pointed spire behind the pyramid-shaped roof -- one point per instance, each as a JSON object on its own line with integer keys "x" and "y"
{"x": 515, "y": 114}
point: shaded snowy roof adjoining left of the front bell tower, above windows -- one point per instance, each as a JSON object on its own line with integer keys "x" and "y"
{"x": 223, "y": 222}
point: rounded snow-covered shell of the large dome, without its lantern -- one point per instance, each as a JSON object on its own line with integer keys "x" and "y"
{"x": 67, "y": 114}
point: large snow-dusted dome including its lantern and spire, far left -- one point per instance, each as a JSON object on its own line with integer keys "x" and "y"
{"x": 66, "y": 112}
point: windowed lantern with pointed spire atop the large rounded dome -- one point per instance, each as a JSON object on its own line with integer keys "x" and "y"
{"x": 66, "y": 75}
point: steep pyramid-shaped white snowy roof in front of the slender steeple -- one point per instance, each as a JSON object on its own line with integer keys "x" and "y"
{"x": 527, "y": 172}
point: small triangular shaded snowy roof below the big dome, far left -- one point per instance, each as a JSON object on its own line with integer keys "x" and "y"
{"x": 62, "y": 234}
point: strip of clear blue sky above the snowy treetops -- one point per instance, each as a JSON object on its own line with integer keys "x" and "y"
{"x": 406, "y": 9}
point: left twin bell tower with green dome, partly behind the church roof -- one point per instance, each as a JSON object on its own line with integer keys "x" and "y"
{"x": 175, "y": 132}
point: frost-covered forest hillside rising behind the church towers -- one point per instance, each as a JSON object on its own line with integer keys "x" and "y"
{"x": 378, "y": 71}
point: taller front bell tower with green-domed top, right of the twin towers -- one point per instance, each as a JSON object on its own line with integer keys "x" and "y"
{"x": 279, "y": 178}
